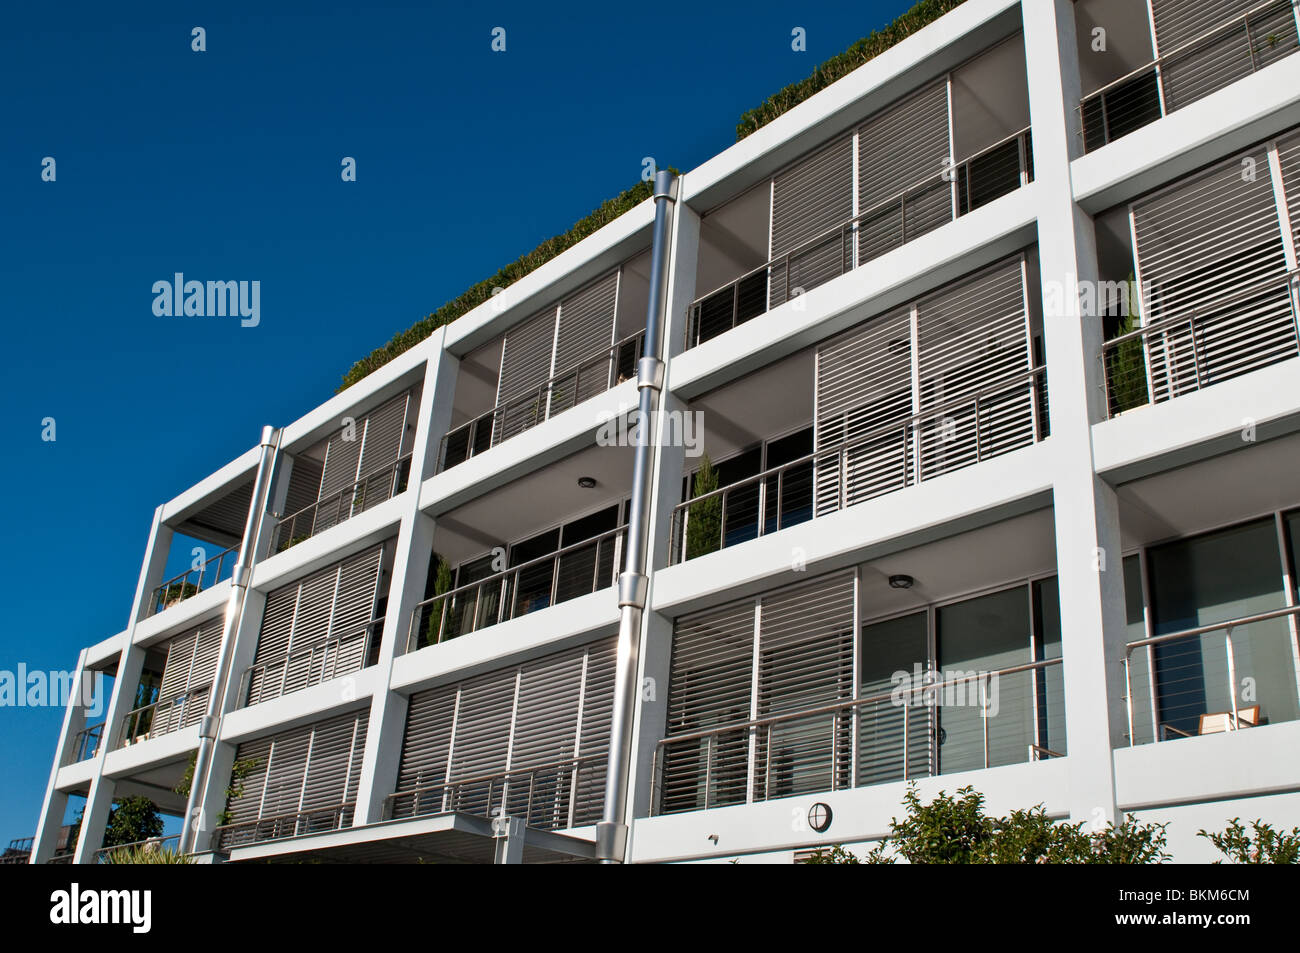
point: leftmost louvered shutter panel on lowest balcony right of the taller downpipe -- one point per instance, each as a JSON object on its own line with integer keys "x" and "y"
{"x": 710, "y": 687}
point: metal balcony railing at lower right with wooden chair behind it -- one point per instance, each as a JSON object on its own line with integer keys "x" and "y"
{"x": 1188, "y": 683}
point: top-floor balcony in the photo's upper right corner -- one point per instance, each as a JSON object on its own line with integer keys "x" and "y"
{"x": 1129, "y": 89}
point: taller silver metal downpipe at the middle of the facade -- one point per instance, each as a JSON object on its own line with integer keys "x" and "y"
{"x": 612, "y": 834}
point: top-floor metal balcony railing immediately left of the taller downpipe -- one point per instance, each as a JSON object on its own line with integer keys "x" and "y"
{"x": 526, "y": 411}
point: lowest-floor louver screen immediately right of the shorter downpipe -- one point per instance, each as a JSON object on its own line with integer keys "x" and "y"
{"x": 302, "y": 782}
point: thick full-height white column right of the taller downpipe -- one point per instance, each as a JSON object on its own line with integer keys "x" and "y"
{"x": 1087, "y": 518}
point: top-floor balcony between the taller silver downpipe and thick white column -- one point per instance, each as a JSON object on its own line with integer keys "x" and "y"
{"x": 938, "y": 154}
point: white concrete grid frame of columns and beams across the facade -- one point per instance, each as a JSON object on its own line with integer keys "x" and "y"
{"x": 1076, "y": 471}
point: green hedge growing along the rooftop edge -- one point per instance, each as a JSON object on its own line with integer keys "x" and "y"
{"x": 837, "y": 68}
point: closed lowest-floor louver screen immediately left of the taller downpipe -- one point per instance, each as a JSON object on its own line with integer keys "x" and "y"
{"x": 531, "y": 738}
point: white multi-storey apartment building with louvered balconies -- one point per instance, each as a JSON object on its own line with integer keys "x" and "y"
{"x": 895, "y": 319}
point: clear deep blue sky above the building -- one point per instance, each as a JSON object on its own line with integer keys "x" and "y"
{"x": 226, "y": 166}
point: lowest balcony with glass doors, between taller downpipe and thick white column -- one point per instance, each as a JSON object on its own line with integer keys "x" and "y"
{"x": 885, "y": 673}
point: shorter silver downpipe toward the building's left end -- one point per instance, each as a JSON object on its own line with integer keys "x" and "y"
{"x": 240, "y": 579}
